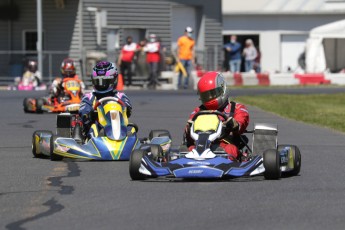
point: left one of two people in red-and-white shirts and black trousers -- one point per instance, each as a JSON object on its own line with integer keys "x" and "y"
{"x": 126, "y": 59}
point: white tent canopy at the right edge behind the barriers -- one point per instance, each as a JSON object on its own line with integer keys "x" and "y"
{"x": 325, "y": 48}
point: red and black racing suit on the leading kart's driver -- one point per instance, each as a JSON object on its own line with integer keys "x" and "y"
{"x": 231, "y": 143}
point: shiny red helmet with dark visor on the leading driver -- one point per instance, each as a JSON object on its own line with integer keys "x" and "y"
{"x": 212, "y": 90}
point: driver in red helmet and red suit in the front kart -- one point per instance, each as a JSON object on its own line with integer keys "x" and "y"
{"x": 214, "y": 95}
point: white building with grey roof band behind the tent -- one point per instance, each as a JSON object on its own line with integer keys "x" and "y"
{"x": 278, "y": 27}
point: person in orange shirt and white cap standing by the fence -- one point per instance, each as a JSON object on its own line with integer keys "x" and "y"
{"x": 185, "y": 54}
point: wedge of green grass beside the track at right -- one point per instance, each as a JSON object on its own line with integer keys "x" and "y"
{"x": 327, "y": 110}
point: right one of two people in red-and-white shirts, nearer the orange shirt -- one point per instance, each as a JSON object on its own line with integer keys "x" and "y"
{"x": 152, "y": 50}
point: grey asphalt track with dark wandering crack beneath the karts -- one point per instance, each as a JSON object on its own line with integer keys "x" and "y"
{"x": 40, "y": 194}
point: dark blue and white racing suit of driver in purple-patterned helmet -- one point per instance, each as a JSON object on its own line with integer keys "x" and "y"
{"x": 89, "y": 100}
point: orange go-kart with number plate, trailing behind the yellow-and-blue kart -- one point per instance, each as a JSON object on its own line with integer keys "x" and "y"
{"x": 67, "y": 103}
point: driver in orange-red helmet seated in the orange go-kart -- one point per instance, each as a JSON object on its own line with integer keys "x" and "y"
{"x": 68, "y": 70}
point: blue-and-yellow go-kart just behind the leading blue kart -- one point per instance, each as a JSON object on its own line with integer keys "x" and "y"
{"x": 114, "y": 137}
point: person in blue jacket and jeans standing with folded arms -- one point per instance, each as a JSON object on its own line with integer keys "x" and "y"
{"x": 233, "y": 48}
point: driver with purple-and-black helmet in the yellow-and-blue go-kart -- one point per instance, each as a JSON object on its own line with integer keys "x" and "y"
{"x": 104, "y": 80}
